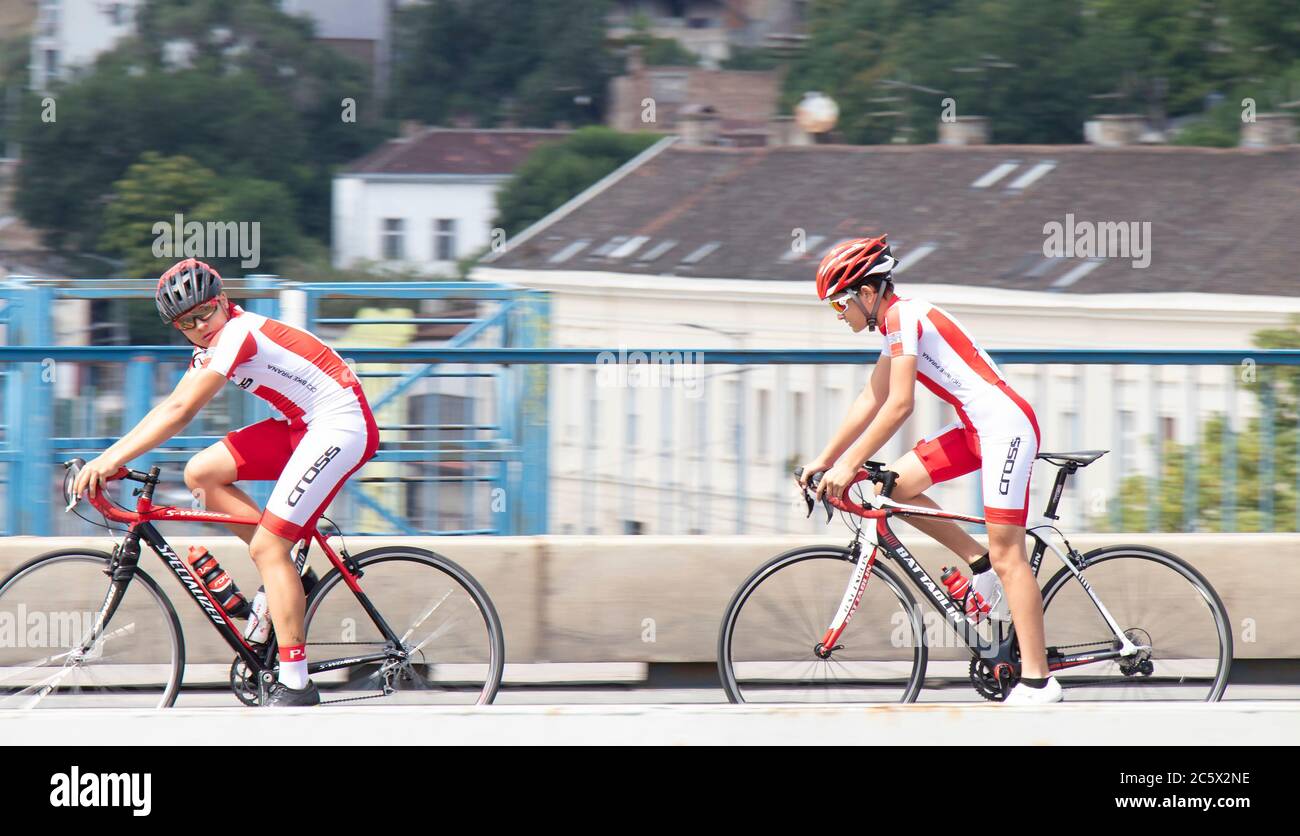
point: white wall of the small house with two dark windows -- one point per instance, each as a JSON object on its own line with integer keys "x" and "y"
{"x": 361, "y": 205}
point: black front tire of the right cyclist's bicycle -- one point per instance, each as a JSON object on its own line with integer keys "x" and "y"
{"x": 882, "y": 574}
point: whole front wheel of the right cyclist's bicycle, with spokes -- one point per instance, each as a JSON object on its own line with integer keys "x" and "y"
{"x": 769, "y": 648}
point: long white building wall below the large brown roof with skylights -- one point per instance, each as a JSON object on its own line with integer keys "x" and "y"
{"x": 591, "y": 471}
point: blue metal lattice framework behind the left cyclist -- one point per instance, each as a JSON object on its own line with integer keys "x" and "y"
{"x": 489, "y": 451}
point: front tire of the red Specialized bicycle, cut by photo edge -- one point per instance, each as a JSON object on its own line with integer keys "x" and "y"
{"x": 101, "y": 698}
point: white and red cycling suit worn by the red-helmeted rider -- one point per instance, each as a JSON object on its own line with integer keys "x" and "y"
{"x": 998, "y": 432}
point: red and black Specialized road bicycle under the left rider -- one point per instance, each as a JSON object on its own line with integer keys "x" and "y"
{"x": 423, "y": 631}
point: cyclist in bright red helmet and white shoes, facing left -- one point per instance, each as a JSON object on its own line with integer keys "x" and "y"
{"x": 998, "y": 435}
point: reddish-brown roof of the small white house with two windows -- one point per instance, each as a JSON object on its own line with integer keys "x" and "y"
{"x": 454, "y": 151}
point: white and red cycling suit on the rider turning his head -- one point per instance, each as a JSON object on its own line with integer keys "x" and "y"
{"x": 327, "y": 432}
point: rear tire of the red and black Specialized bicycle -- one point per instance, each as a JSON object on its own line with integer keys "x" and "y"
{"x": 496, "y": 643}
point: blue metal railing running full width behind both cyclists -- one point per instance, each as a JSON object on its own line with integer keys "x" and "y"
{"x": 522, "y": 387}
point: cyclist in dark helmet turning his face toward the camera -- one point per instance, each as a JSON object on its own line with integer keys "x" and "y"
{"x": 324, "y": 435}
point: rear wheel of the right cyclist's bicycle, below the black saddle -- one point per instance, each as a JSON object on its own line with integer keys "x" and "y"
{"x": 1158, "y": 600}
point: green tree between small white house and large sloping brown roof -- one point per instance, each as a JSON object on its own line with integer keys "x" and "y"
{"x": 560, "y": 171}
